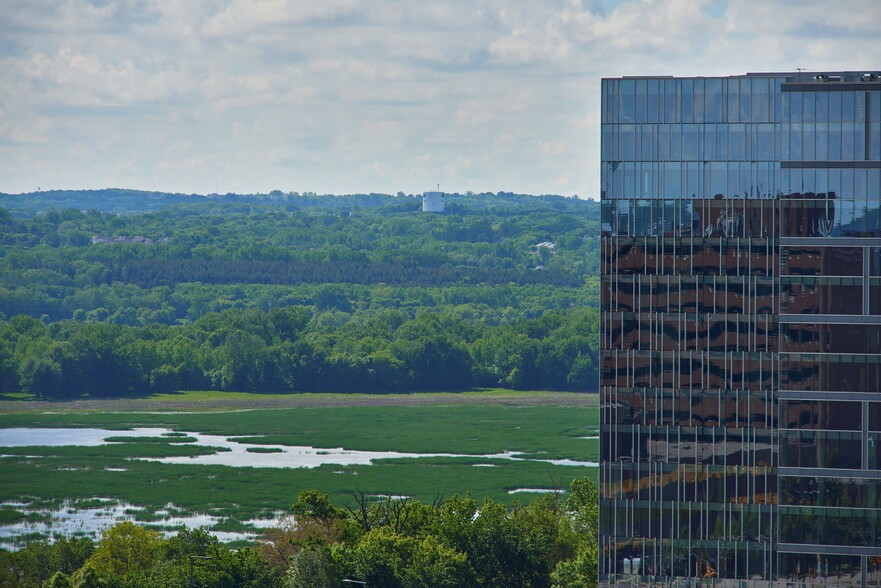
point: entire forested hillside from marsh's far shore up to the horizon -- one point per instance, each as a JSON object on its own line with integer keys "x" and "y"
{"x": 133, "y": 292}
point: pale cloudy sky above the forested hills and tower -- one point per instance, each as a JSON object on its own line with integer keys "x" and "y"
{"x": 356, "y": 96}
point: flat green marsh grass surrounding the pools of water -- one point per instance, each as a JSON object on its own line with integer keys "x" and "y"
{"x": 542, "y": 426}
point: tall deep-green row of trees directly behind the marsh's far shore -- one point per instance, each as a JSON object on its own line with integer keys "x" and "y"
{"x": 294, "y": 349}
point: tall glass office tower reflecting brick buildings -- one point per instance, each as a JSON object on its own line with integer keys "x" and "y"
{"x": 741, "y": 330}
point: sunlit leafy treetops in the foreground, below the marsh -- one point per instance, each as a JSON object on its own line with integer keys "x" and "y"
{"x": 394, "y": 543}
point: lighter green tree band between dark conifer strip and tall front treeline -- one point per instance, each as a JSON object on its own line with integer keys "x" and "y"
{"x": 183, "y": 303}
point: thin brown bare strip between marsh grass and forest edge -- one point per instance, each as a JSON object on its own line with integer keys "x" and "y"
{"x": 185, "y": 403}
